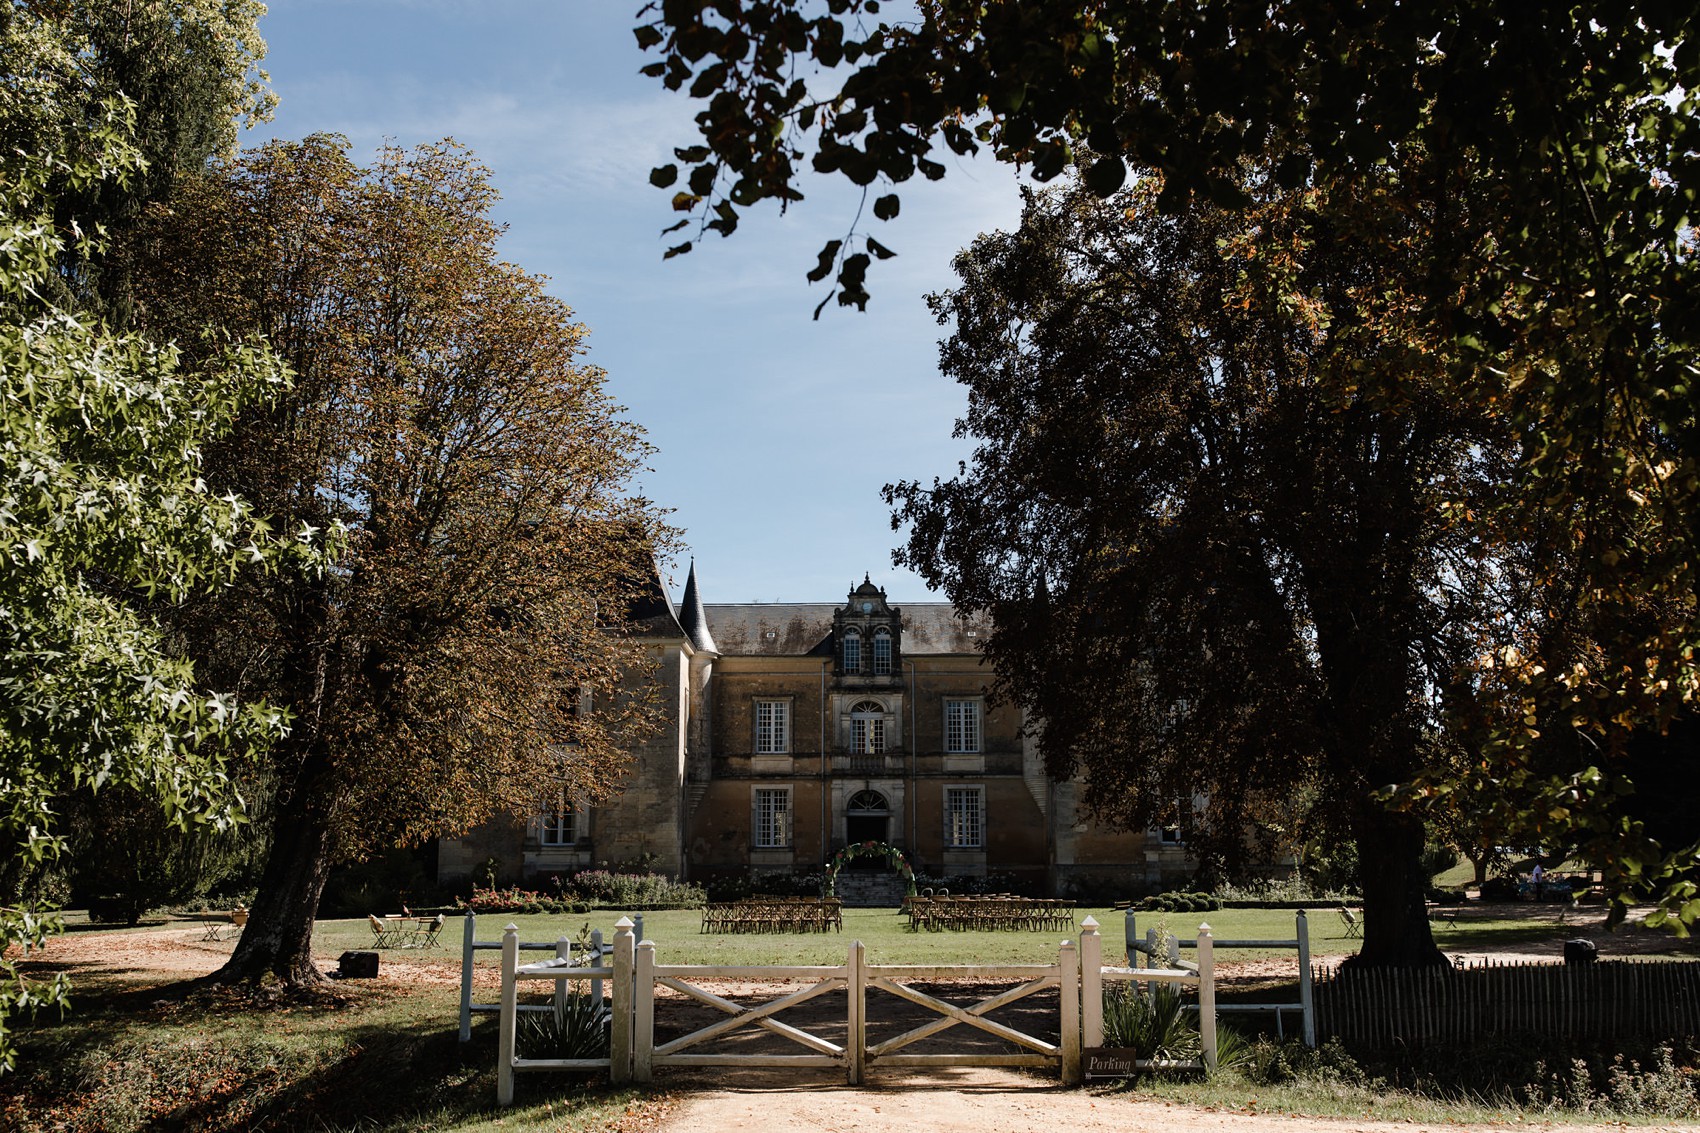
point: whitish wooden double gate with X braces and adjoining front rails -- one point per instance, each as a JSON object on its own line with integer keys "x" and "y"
{"x": 635, "y": 974}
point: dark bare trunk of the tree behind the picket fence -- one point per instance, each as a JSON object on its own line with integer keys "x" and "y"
{"x": 1397, "y": 931}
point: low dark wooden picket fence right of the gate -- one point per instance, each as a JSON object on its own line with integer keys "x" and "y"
{"x": 1376, "y": 1010}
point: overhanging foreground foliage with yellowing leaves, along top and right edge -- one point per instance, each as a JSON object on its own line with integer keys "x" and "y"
{"x": 1567, "y": 293}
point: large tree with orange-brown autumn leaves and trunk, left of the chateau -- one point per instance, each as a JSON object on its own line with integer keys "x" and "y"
{"x": 443, "y": 418}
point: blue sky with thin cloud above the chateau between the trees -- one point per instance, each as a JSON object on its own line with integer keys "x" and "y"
{"x": 774, "y": 433}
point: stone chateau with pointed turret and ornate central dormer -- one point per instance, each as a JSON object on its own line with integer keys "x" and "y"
{"x": 796, "y": 729}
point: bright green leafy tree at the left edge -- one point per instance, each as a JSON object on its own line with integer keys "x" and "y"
{"x": 103, "y": 504}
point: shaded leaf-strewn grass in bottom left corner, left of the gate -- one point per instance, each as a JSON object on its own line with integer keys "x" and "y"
{"x": 196, "y": 1057}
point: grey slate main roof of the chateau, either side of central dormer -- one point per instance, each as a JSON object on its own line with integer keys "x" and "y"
{"x": 805, "y": 629}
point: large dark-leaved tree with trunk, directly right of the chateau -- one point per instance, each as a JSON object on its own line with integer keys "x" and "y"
{"x": 1215, "y": 510}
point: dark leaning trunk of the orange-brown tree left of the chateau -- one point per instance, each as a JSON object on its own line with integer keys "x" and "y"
{"x": 278, "y": 940}
